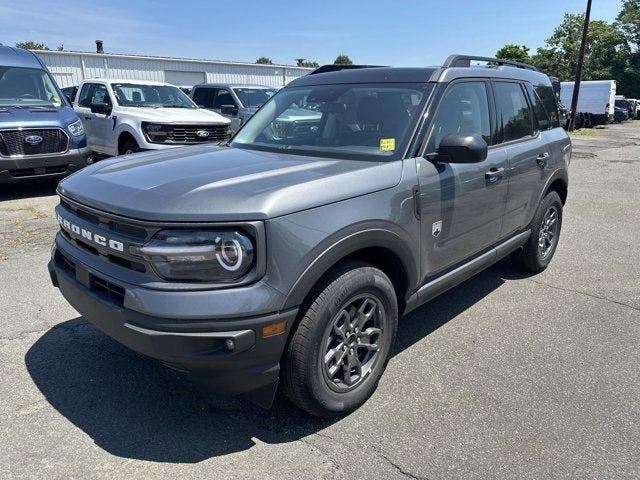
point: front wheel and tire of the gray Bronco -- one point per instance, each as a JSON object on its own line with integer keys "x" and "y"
{"x": 328, "y": 325}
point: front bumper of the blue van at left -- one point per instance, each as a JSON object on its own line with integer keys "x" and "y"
{"x": 13, "y": 170}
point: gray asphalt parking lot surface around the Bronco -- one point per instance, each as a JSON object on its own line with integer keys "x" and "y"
{"x": 506, "y": 376}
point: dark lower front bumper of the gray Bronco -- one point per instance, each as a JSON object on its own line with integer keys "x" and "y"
{"x": 198, "y": 348}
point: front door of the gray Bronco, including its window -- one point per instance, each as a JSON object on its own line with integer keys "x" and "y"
{"x": 461, "y": 205}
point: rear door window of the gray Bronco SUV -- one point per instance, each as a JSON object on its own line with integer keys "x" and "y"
{"x": 514, "y": 114}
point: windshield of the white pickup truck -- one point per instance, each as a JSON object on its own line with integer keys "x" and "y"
{"x": 153, "y": 96}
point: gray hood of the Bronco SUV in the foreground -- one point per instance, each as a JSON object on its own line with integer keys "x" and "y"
{"x": 211, "y": 183}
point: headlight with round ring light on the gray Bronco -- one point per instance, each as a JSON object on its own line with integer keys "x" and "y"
{"x": 214, "y": 256}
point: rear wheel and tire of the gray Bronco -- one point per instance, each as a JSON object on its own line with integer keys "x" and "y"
{"x": 537, "y": 253}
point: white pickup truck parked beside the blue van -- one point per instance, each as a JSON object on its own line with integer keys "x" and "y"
{"x": 126, "y": 116}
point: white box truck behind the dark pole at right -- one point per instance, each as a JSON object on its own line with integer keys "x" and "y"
{"x": 596, "y": 97}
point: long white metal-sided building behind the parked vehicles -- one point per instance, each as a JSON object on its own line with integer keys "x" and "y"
{"x": 71, "y": 68}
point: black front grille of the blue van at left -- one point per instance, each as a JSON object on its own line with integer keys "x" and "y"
{"x": 12, "y": 142}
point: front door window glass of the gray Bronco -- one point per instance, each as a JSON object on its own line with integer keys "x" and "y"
{"x": 464, "y": 109}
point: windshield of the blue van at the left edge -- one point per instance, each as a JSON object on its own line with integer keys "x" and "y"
{"x": 27, "y": 87}
